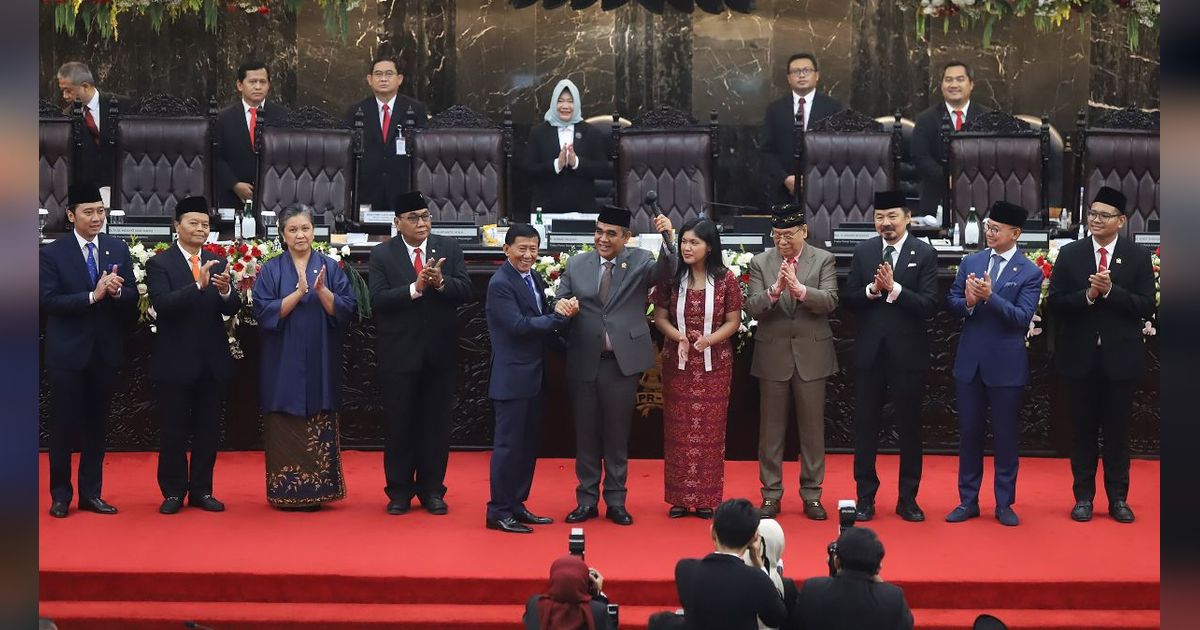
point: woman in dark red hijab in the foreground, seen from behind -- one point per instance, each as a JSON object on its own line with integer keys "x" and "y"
{"x": 574, "y": 601}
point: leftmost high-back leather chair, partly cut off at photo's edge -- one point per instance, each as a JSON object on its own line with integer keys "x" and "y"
{"x": 57, "y": 163}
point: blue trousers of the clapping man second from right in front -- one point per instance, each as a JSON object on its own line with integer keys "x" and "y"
{"x": 975, "y": 399}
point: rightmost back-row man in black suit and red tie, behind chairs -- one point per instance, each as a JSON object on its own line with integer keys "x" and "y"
{"x": 957, "y": 83}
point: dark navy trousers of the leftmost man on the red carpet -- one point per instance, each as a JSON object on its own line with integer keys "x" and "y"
{"x": 80, "y": 405}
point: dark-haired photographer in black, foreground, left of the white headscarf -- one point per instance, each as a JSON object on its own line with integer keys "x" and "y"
{"x": 721, "y": 592}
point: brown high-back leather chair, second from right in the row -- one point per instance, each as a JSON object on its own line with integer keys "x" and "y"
{"x": 997, "y": 158}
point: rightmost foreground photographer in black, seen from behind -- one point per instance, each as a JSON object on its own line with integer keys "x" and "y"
{"x": 855, "y": 598}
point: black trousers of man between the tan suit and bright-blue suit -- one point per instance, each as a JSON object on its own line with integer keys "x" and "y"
{"x": 873, "y": 387}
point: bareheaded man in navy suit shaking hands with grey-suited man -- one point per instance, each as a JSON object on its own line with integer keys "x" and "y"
{"x": 520, "y": 322}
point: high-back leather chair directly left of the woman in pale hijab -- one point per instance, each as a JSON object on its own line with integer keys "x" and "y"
{"x": 461, "y": 163}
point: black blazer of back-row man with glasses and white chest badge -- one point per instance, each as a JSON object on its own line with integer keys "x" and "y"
{"x": 382, "y": 173}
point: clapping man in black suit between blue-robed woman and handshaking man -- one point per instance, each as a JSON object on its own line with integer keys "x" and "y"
{"x": 418, "y": 280}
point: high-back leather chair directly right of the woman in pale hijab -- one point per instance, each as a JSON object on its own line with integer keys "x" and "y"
{"x": 668, "y": 152}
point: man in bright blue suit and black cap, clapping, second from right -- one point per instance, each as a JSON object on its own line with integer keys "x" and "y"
{"x": 997, "y": 293}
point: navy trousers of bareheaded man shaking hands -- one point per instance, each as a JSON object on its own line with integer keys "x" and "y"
{"x": 514, "y": 454}
